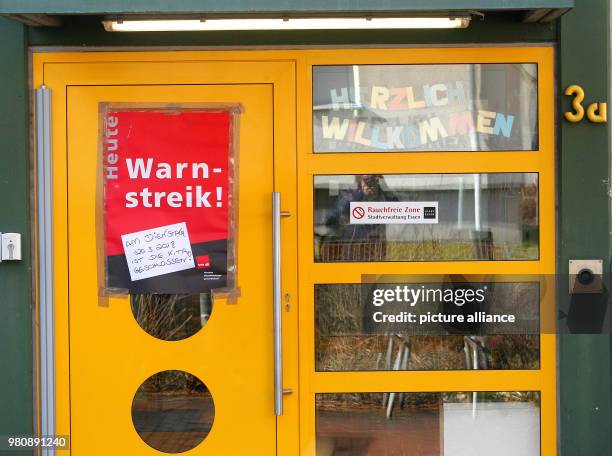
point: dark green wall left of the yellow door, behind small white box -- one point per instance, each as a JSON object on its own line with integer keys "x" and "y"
{"x": 15, "y": 277}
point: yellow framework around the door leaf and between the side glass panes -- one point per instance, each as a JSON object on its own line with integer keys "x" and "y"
{"x": 291, "y": 71}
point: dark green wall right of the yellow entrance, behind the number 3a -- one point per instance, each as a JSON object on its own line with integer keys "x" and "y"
{"x": 585, "y": 375}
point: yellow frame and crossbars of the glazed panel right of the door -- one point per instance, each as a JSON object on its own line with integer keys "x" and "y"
{"x": 310, "y": 273}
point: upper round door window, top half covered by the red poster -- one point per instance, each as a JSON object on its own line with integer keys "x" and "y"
{"x": 171, "y": 316}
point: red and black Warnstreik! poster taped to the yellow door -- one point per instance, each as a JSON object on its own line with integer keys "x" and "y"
{"x": 166, "y": 200}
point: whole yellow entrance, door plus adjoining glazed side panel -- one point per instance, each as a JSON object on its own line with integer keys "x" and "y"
{"x": 361, "y": 390}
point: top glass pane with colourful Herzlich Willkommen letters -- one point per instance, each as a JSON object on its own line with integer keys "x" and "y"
{"x": 393, "y": 108}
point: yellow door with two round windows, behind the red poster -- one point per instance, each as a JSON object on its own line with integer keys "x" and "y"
{"x": 173, "y": 373}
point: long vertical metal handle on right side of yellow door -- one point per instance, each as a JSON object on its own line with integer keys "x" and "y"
{"x": 278, "y": 324}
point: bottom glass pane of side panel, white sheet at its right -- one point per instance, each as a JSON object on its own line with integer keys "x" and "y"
{"x": 428, "y": 424}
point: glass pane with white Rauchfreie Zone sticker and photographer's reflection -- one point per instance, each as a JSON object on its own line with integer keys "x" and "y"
{"x": 426, "y": 217}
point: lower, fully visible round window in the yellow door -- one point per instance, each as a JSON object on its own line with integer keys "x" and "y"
{"x": 173, "y": 411}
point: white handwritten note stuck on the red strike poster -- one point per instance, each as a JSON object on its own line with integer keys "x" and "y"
{"x": 158, "y": 251}
